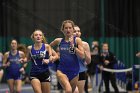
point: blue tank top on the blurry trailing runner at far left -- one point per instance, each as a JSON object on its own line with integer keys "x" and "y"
{"x": 15, "y": 65}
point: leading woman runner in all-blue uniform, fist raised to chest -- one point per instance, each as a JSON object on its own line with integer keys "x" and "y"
{"x": 70, "y": 47}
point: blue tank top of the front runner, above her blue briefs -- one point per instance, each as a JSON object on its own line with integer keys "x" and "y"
{"x": 68, "y": 57}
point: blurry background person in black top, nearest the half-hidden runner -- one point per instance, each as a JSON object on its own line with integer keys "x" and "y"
{"x": 95, "y": 60}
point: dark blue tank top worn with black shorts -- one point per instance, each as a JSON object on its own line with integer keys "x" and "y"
{"x": 37, "y": 66}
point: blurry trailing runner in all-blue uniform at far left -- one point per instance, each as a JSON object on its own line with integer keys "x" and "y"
{"x": 12, "y": 62}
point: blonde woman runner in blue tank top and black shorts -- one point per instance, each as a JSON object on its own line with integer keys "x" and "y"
{"x": 40, "y": 55}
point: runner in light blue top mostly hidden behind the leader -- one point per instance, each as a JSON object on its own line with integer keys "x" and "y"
{"x": 82, "y": 62}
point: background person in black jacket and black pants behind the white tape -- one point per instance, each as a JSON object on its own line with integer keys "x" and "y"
{"x": 108, "y": 60}
